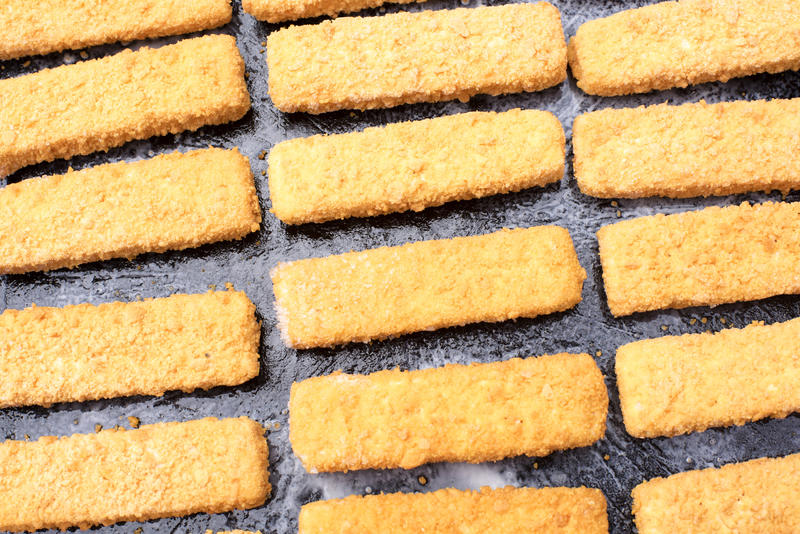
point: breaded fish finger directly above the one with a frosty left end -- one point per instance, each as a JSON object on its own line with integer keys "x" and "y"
{"x": 414, "y": 165}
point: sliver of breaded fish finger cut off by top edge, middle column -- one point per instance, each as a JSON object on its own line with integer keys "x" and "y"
{"x": 283, "y": 10}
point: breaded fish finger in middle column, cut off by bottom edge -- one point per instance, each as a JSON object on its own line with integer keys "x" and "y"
{"x": 450, "y": 511}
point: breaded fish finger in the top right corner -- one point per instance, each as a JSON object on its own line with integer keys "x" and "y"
{"x": 675, "y": 44}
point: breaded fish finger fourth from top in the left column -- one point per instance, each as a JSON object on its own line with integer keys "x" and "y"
{"x": 85, "y": 352}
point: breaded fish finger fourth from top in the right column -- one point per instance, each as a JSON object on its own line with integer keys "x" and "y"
{"x": 679, "y": 384}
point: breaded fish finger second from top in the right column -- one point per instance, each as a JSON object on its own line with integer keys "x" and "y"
{"x": 690, "y": 150}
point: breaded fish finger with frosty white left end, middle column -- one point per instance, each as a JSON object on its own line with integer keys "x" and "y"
{"x": 427, "y": 285}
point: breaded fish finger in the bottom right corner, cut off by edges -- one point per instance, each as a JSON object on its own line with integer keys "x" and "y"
{"x": 747, "y": 498}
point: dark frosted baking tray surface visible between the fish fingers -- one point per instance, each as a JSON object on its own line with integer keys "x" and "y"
{"x": 615, "y": 464}
